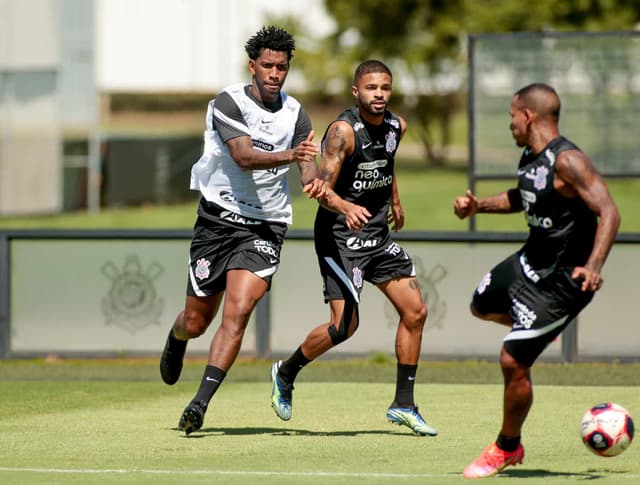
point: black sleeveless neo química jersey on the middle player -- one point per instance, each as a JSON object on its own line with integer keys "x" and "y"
{"x": 365, "y": 179}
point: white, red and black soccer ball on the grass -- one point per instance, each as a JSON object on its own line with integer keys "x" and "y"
{"x": 607, "y": 429}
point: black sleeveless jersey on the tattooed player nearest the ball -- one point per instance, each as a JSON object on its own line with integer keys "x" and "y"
{"x": 561, "y": 229}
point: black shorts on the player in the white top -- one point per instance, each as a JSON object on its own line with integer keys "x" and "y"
{"x": 220, "y": 244}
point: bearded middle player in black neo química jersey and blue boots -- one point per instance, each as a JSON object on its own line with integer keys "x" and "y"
{"x": 353, "y": 242}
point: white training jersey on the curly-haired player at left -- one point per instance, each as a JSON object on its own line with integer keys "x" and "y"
{"x": 259, "y": 194}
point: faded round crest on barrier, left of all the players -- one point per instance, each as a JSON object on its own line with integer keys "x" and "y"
{"x": 132, "y": 302}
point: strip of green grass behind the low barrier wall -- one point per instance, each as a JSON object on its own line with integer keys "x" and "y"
{"x": 427, "y": 196}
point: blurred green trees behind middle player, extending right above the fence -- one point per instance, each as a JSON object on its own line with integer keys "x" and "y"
{"x": 423, "y": 41}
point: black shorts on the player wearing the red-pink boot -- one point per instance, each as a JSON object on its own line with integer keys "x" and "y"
{"x": 539, "y": 310}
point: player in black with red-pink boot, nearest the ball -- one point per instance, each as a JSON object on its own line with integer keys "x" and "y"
{"x": 539, "y": 290}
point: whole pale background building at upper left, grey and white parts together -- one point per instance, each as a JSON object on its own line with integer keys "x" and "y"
{"x": 58, "y": 56}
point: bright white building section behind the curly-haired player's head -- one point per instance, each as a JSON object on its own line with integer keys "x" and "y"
{"x": 180, "y": 45}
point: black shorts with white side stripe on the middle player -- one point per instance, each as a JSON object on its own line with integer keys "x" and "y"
{"x": 343, "y": 274}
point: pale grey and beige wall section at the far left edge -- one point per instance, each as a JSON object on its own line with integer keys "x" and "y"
{"x": 30, "y": 118}
